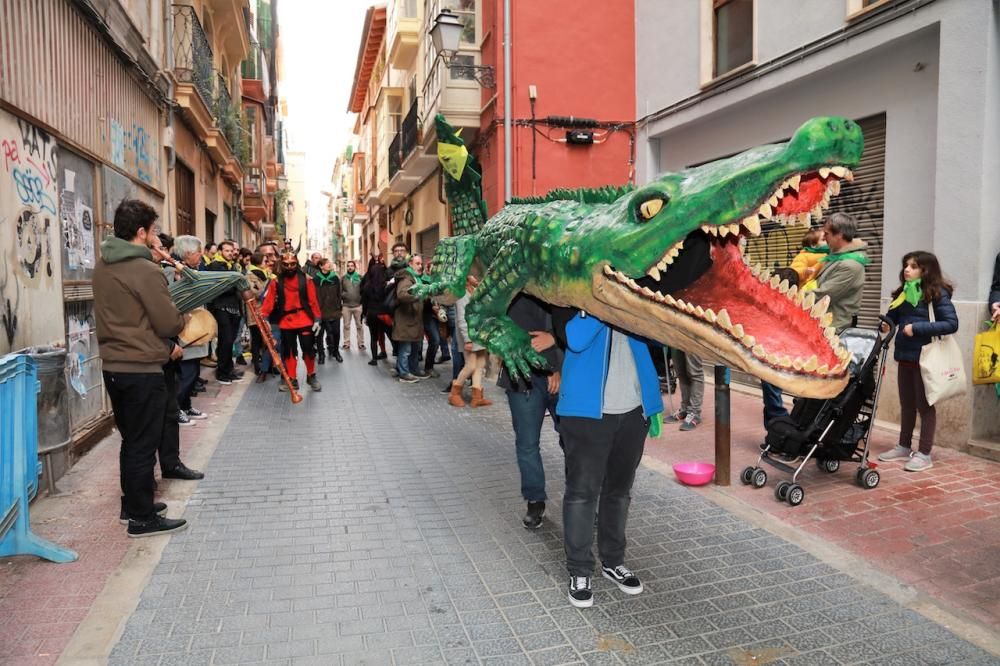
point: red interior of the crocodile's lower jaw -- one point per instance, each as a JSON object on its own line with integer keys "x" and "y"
{"x": 757, "y": 306}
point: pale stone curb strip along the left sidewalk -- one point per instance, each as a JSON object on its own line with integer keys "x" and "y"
{"x": 97, "y": 635}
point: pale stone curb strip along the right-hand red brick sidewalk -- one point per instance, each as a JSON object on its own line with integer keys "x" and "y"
{"x": 850, "y": 564}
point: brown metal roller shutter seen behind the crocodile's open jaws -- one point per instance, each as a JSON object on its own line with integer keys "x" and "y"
{"x": 864, "y": 199}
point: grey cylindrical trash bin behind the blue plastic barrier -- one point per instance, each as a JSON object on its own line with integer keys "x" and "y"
{"x": 53, "y": 408}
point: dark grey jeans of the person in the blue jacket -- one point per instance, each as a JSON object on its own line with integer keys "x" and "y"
{"x": 601, "y": 458}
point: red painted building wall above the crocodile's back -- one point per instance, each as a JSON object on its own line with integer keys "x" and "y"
{"x": 580, "y": 56}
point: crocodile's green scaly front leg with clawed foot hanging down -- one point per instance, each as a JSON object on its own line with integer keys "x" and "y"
{"x": 487, "y": 317}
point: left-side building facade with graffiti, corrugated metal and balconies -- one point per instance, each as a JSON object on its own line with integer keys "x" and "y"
{"x": 128, "y": 99}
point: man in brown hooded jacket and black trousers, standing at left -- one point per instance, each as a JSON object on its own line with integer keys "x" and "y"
{"x": 135, "y": 321}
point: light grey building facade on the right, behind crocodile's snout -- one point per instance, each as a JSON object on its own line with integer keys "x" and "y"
{"x": 920, "y": 76}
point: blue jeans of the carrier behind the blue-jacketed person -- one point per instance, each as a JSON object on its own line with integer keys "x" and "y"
{"x": 527, "y": 411}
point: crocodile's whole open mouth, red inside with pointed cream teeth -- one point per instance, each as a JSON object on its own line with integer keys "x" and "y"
{"x": 705, "y": 278}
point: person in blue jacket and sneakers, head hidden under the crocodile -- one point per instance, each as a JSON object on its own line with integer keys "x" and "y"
{"x": 608, "y": 394}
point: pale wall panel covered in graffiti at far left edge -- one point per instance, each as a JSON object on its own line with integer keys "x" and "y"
{"x": 30, "y": 269}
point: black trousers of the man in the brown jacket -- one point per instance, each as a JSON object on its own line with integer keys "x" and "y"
{"x": 139, "y": 401}
